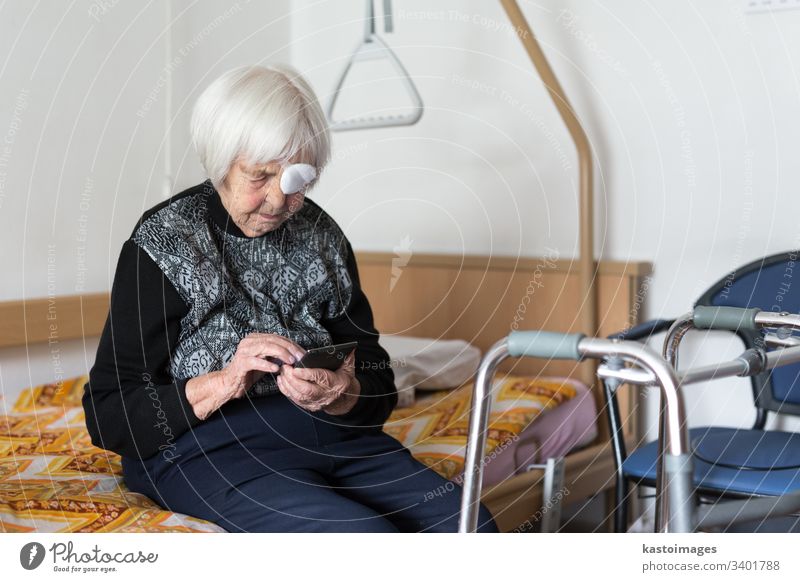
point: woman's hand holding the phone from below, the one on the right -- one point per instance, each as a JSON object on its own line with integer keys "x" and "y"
{"x": 315, "y": 389}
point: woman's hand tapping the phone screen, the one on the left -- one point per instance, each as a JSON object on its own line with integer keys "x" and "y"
{"x": 208, "y": 392}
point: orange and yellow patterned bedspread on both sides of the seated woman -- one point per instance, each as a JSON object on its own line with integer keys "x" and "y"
{"x": 52, "y": 479}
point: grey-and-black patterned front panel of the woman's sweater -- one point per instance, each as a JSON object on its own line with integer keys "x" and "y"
{"x": 284, "y": 282}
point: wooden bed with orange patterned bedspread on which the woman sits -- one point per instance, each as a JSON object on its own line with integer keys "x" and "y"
{"x": 52, "y": 479}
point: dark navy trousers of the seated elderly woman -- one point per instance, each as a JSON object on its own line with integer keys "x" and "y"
{"x": 267, "y": 465}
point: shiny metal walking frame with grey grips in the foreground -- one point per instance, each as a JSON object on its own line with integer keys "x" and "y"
{"x": 676, "y": 507}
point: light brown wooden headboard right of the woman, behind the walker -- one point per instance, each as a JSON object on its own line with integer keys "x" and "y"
{"x": 482, "y": 299}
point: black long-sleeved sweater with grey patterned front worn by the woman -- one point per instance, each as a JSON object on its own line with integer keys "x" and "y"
{"x": 190, "y": 285}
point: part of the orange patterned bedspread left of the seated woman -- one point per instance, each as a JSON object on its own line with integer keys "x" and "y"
{"x": 52, "y": 479}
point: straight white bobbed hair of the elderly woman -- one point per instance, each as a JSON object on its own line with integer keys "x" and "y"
{"x": 258, "y": 114}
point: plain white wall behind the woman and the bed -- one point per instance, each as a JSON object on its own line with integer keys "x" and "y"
{"x": 691, "y": 108}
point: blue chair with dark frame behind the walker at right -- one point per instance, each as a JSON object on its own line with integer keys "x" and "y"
{"x": 729, "y": 462}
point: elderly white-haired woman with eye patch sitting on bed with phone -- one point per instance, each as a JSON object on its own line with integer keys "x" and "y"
{"x": 218, "y": 292}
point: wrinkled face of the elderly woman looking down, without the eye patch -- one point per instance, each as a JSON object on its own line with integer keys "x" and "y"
{"x": 252, "y": 196}
